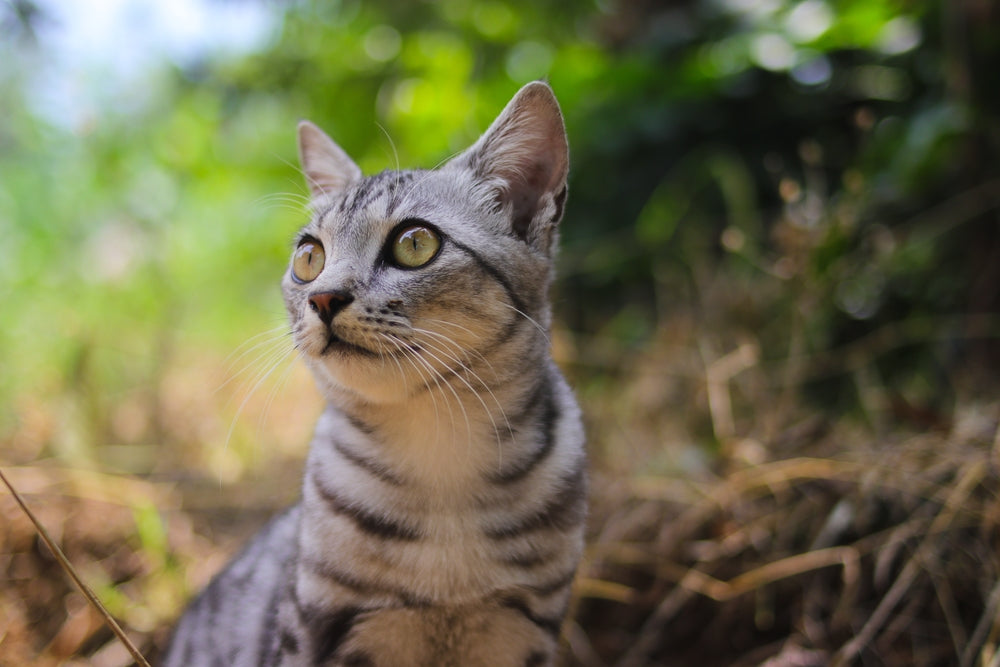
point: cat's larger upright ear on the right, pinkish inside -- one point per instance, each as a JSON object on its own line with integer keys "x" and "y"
{"x": 522, "y": 161}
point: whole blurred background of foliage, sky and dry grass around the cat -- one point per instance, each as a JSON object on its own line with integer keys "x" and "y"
{"x": 778, "y": 301}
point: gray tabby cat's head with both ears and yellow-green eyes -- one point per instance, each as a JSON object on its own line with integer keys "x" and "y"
{"x": 406, "y": 276}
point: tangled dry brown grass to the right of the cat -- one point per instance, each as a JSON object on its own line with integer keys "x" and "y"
{"x": 810, "y": 538}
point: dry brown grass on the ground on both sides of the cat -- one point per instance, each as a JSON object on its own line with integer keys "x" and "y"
{"x": 803, "y": 540}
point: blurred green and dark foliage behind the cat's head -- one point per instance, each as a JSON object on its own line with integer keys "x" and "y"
{"x": 790, "y": 143}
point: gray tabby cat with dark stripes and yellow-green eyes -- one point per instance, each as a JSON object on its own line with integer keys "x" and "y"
{"x": 441, "y": 520}
